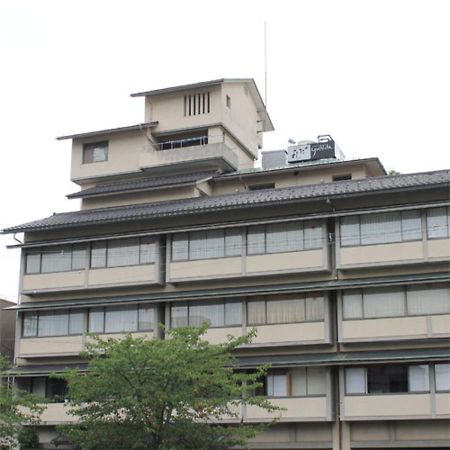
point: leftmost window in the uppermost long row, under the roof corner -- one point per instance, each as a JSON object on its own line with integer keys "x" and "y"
{"x": 56, "y": 259}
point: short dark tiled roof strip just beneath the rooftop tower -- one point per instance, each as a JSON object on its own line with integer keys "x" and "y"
{"x": 142, "y": 184}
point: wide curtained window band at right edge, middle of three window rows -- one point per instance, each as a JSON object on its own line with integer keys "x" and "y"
{"x": 371, "y": 303}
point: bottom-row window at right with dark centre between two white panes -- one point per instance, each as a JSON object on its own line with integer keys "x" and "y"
{"x": 387, "y": 379}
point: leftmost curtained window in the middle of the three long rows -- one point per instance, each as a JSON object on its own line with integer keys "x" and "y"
{"x": 52, "y": 323}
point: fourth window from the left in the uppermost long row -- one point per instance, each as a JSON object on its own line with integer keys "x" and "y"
{"x": 284, "y": 237}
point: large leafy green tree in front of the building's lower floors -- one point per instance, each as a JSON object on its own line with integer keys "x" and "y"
{"x": 142, "y": 394}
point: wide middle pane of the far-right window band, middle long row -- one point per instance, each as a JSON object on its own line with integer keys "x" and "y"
{"x": 389, "y": 302}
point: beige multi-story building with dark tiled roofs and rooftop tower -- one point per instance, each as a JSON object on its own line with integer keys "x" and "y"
{"x": 342, "y": 269}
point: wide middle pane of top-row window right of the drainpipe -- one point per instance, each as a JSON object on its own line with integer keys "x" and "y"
{"x": 380, "y": 228}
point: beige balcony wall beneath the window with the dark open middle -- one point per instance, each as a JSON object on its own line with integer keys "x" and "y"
{"x": 396, "y": 406}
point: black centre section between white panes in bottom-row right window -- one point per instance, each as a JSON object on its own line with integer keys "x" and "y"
{"x": 387, "y": 379}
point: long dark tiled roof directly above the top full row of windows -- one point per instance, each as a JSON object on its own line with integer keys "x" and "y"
{"x": 240, "y": 200}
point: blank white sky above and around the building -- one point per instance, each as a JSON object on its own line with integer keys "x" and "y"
{"x": 373, "y": 74}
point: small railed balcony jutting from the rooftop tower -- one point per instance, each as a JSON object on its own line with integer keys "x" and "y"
{"x": 201, "y": 153}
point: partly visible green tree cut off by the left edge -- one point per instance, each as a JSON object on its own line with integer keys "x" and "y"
{"x": 18, "y": 411}
